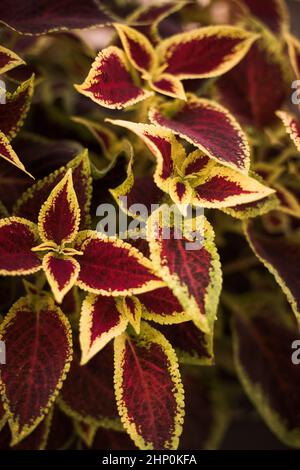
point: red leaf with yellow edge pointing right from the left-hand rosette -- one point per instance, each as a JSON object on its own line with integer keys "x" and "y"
{"x": 110, "y": 266}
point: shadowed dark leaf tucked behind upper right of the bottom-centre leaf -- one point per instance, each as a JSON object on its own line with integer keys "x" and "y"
{"x": 192, "y": 346}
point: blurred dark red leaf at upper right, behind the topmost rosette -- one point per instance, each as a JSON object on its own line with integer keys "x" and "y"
{"x": 258, "y": 86}
